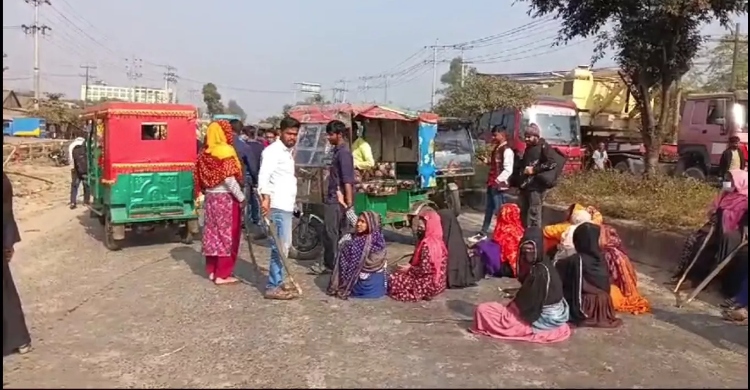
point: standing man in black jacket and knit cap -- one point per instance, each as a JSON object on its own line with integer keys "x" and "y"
{"x": 538, "y": 158}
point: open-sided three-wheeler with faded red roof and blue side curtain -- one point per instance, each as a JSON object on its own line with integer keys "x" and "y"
{"x": 402, "y": 184}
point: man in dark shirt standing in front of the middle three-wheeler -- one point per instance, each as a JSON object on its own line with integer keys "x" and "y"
{"x": 340, "y": 180}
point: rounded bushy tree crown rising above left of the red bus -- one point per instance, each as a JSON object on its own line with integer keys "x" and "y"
{"x": 482, "y": 94}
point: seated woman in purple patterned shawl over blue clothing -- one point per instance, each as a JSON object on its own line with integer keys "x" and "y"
{"x": 360, "y": 269}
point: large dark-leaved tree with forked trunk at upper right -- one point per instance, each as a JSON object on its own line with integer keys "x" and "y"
{"x": 653, "y": 42}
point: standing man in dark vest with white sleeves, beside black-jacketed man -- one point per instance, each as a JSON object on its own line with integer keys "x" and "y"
{"x": 500, "y": 162}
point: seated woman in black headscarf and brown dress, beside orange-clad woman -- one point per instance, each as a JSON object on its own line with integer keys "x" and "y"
{"x": 586, "y": 281}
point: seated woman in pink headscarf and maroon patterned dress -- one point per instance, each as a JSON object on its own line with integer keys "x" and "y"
{"x": 425, "y": 275}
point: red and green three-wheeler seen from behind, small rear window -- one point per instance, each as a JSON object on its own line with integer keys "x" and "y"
{"x": 141, "y": 159}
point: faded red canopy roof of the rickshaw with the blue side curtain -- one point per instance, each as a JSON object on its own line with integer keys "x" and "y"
{"x": 346, "y": 111}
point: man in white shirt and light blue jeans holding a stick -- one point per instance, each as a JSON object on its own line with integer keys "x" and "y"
{"x": 277, "y": 186}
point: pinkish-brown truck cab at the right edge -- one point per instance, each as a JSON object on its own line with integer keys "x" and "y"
{"x": 707, "y": 123}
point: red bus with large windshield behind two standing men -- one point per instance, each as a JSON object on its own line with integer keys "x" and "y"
{"x": 558, "y": 122}
